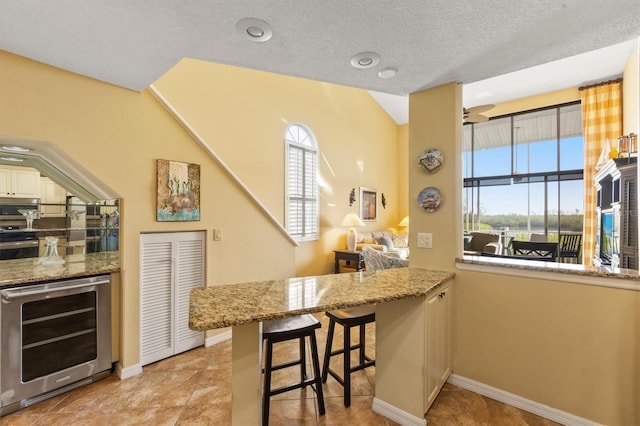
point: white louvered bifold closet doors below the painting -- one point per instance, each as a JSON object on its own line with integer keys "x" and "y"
{"x": 171, "y": 264}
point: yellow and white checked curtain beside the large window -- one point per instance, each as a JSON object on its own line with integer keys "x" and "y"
{"x": 601, "y": 124}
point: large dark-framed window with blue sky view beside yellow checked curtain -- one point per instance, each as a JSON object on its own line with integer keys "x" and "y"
{"x": 523, "y": 173}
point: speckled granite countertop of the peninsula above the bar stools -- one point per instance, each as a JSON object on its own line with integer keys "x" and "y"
{"x": 236, "y": 304}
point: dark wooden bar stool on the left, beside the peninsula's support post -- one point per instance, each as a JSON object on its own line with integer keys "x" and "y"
{"x": 275, "y": 331}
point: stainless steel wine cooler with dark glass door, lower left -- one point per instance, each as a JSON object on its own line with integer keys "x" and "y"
{"x": 55, "y": 336}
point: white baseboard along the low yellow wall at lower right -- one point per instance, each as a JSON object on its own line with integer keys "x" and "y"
{"x": 533, "y": 407}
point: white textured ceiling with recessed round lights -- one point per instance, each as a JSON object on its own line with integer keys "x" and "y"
{"x": 132, "y": 43}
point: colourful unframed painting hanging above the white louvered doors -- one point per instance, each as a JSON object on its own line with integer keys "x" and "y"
{"x": 178, "y": 194}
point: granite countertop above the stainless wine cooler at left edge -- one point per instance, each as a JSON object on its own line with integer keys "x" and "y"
{"x": 20, "y": 271}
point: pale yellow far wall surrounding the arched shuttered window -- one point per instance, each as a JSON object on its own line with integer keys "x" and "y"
{"x": 243, "y": 115}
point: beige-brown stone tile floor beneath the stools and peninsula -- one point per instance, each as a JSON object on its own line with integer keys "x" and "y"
{"x": 193, "y": 388}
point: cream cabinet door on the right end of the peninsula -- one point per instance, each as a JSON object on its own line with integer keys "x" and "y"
{"x": 438, "y": 341}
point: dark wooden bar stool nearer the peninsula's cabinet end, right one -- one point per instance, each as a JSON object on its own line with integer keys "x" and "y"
{"x": 348, "y": 318}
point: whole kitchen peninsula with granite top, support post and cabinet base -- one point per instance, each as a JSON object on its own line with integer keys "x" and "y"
{"x": 412, "y": 330}
